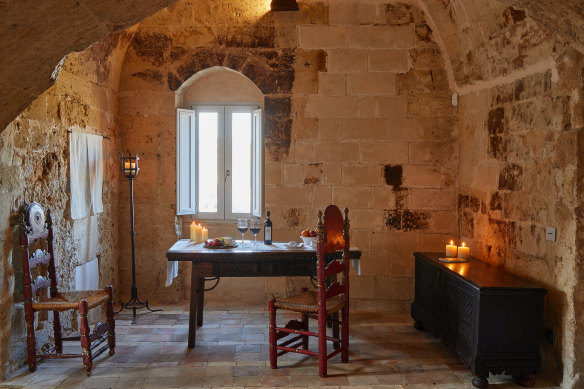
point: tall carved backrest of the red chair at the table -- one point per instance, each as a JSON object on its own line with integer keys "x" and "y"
{"x": 333, "y": 236}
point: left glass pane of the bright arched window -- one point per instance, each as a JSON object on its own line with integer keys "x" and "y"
{"x": 208, "y": 129}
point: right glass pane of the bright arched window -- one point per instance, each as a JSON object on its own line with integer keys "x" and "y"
{"x": 241, "y": 162}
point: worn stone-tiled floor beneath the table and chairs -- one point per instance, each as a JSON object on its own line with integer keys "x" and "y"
{"x": 232, "y": 351}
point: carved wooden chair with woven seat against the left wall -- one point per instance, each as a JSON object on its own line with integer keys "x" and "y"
{"x": 37, "y": 237}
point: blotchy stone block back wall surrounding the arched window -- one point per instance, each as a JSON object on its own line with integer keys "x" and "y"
{"x": 357, "y": 113}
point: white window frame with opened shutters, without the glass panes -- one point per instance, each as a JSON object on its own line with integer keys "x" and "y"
{"x": 187, "y": 155}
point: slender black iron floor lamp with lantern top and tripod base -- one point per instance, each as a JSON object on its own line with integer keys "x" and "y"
{"x": 130, "y": 170}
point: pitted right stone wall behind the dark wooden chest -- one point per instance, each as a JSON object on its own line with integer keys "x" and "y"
{"x": 519, "y": 120}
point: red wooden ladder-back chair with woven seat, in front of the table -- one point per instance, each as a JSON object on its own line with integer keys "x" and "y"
{"x": 327, "y": 301}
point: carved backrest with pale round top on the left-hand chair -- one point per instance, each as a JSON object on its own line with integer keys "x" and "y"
{"x": 38, "y": 267}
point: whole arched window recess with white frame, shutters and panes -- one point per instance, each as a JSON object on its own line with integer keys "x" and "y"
{"x": 219, "y": 146}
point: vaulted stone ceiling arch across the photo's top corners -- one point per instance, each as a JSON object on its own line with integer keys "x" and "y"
{"x": 36, "y": 35}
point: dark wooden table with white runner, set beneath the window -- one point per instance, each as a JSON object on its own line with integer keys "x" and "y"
{"x": 276, "y": 260}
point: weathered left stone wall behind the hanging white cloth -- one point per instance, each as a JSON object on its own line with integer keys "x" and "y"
{"x": 34, "y": 166}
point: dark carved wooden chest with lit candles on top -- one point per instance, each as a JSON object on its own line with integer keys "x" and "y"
{"x": 492, "y": 318}
